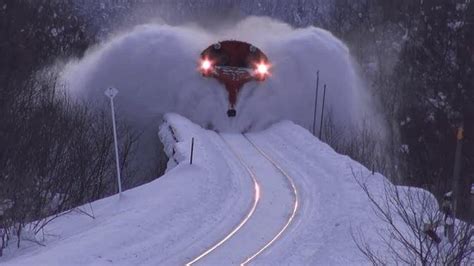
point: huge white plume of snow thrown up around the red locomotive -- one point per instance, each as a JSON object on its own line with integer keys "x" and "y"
{"x": 154, "y": 66}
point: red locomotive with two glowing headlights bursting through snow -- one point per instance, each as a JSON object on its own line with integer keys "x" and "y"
{"x": 234, "y": 63}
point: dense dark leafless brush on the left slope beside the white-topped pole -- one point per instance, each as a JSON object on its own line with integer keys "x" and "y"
{"x": 56, "y": 155}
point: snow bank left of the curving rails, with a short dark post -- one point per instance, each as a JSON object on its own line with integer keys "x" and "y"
{"x": 161, "y": 223}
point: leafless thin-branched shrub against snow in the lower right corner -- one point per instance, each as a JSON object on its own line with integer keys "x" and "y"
{"x": 412, "y": 229}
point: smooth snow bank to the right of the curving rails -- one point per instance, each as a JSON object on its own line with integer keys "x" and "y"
{"x": 333, "y": 205}
